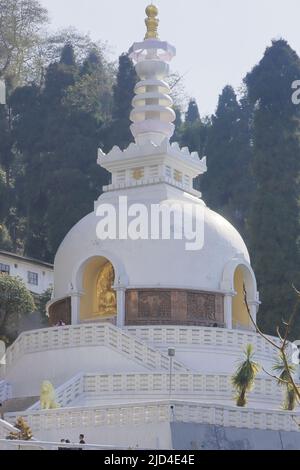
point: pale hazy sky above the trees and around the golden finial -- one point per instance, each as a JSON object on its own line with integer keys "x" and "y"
{"x": 217, "y": 41}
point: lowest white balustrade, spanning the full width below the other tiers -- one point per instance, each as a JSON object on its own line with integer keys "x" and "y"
{"x": 158, "y": 412}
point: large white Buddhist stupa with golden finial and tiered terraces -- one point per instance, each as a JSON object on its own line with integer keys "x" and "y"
{"x": 129, "y": 305}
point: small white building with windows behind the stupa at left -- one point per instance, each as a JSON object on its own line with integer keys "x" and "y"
{"x": 36, "y": 275}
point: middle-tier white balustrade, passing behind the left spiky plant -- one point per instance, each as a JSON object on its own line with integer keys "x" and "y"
{"x": 218, "y": 388}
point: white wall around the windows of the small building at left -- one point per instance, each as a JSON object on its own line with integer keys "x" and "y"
{"x": 20, "y": 267}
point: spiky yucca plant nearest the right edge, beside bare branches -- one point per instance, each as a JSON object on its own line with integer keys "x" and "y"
{"x": 291, "y": 399}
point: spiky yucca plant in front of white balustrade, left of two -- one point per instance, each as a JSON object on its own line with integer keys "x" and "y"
{"x": 244, "y": 378}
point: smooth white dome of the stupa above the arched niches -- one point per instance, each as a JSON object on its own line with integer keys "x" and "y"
{"x": 153, "y": 263}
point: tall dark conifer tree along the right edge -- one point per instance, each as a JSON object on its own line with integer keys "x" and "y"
{"x": 274, "y": 223}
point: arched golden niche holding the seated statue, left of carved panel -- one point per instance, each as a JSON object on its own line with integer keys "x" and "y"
{"x": 99, "y": 298}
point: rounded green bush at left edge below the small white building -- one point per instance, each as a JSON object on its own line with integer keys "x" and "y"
{"x": 15, "y": 300}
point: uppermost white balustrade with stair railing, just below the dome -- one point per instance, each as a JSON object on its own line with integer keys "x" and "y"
{"x": 134, "y": 343}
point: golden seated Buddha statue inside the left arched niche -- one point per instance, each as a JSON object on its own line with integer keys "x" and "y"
{"x": 106, "y": 296}
